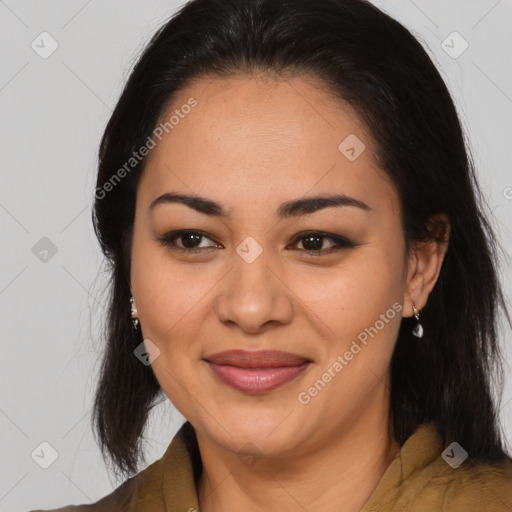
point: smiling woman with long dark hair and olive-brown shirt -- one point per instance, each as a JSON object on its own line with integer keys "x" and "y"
{"x": 301, "y": 265}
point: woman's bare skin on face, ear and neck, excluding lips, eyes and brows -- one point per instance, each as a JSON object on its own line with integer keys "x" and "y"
{"x": 251, "y": 144}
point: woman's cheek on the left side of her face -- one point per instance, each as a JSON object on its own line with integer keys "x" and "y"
{"x": 169, "y": 299}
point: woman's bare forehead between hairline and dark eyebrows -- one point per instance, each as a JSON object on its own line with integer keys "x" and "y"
{"x": 250, "y": 138}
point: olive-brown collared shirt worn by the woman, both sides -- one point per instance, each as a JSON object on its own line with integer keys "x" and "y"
{"x": 418, "y": 480}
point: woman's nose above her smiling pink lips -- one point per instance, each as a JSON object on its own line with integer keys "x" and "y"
{"x": 253, "y": 297}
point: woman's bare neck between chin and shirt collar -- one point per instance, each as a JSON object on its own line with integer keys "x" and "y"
{"x": 339, "y": 475}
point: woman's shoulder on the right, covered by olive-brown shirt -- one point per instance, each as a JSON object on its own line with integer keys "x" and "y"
{"x": 422, "y": 479}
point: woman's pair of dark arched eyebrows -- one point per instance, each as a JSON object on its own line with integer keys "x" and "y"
{"x": 288, "y": 209}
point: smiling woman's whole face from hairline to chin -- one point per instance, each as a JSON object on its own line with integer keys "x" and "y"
{"x": 255, "y": 148}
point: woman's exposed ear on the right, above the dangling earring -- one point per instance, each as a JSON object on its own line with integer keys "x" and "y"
{"x": 425, "y": 263}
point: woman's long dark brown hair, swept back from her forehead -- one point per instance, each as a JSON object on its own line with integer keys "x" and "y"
{"x": 365, "y": 58}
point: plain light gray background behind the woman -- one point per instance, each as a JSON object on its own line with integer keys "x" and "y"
{"x": 53, "y": 112}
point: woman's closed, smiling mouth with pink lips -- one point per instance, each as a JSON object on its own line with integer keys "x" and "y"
{"x": 256, "y": 372}
